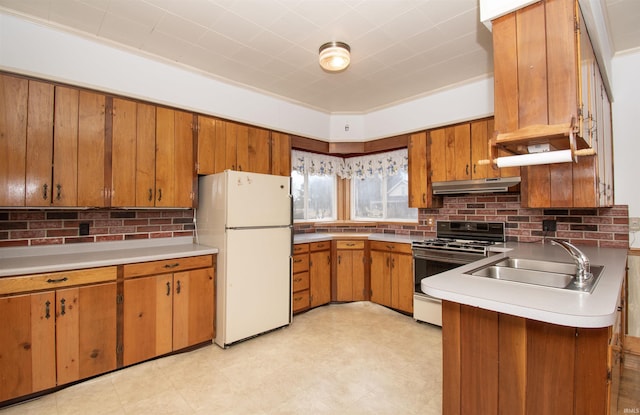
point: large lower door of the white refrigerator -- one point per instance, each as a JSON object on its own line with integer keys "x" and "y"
{"x": 258, "y": 282}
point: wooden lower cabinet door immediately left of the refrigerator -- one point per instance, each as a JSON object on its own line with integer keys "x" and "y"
{"x": 193, "y": 314}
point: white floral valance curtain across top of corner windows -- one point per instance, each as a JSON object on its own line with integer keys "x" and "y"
{"x": 381, "y": 164}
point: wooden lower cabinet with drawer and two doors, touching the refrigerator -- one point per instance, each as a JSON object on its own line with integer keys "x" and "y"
{"x": 169, "y": 311}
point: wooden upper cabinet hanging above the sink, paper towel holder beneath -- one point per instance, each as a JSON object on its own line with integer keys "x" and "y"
{"x": 545, "y": 74}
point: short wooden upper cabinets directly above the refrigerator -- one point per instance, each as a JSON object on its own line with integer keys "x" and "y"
{"x": 226, "y": 145}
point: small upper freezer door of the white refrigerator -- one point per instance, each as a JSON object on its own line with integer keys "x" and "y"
{"x": 255, "y": 199}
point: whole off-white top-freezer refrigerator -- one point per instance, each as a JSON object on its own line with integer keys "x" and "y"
{"x": 248, "y": 217}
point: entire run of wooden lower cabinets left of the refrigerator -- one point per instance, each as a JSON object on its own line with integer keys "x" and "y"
{"x": 61, "y": 327}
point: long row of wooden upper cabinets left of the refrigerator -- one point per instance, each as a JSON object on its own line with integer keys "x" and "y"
{"x": 69, "y": 147}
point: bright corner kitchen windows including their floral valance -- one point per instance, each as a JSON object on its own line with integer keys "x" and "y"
{"x": 376, "y": 184}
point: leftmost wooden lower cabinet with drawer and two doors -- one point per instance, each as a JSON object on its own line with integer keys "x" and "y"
{"x": 57, "y": 336}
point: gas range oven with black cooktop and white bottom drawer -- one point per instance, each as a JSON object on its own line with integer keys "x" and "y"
{"x": 457, "y": 243}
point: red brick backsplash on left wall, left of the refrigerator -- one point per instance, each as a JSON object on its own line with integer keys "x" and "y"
{"x": 47, "y": 227}
